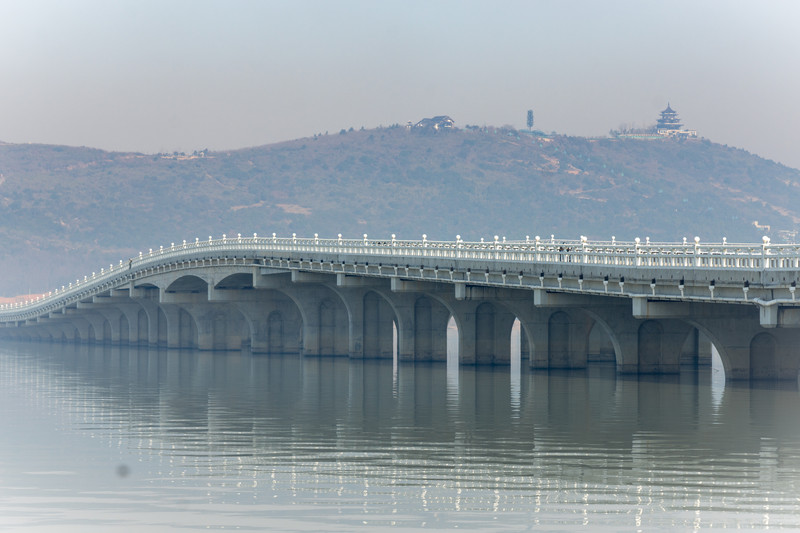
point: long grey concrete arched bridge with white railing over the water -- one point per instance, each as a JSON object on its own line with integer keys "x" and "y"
{"x": 649, "y": 306}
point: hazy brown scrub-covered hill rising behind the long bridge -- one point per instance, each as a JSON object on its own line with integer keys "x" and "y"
{"x": 65, "y": 211}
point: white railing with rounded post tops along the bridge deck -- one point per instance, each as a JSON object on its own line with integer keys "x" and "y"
{"x": 637, "y": 254}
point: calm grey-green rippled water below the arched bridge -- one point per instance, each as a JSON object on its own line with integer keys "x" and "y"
{"x": 103, "y": 438}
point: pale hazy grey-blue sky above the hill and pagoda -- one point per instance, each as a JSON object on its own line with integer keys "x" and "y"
{"x": 166, "y": 75}
